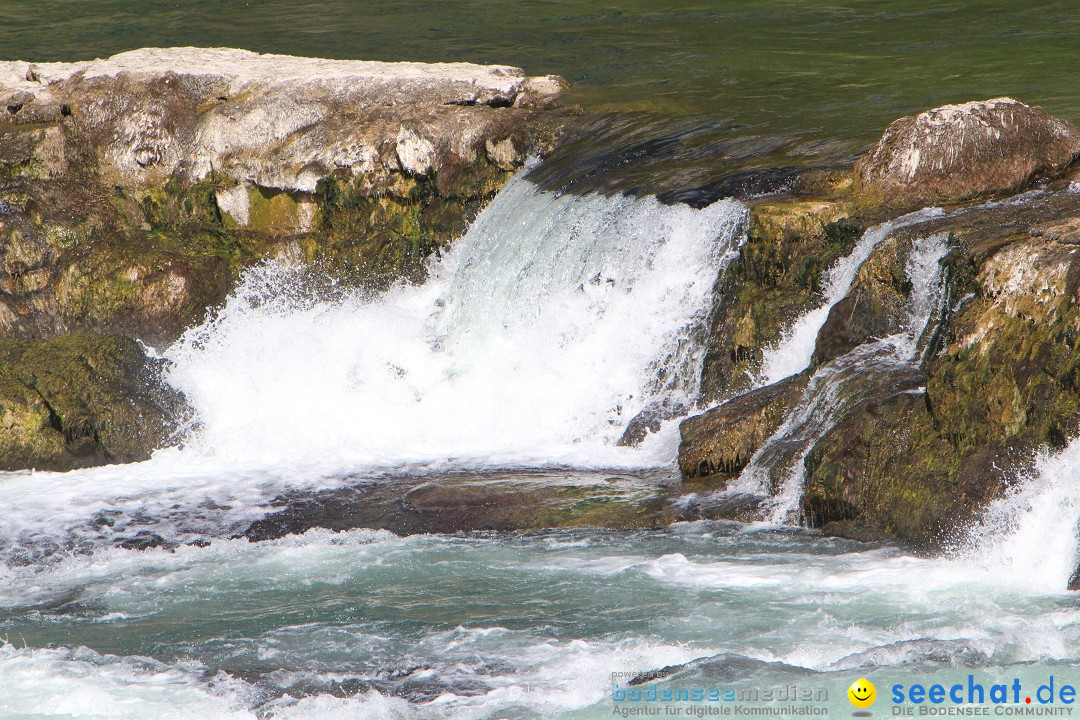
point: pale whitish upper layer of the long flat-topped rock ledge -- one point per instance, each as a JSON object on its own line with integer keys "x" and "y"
{"x": 277, "y": 121}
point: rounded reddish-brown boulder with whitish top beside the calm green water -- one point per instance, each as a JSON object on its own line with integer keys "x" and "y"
{"x": 957, "y": 153}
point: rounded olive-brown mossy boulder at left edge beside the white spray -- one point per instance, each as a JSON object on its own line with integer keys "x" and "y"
{"x": 77, "y": 401}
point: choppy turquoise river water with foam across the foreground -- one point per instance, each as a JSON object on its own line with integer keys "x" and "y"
{"x": 496, "y": 626}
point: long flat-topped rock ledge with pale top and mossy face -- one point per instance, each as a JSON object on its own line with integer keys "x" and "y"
{"x": 134, "y": 189}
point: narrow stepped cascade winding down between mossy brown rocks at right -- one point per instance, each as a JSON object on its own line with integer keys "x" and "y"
{"x": 778, "y": 469}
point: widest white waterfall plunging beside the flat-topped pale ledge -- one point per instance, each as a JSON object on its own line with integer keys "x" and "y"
{"x": 539, "y": 335}
